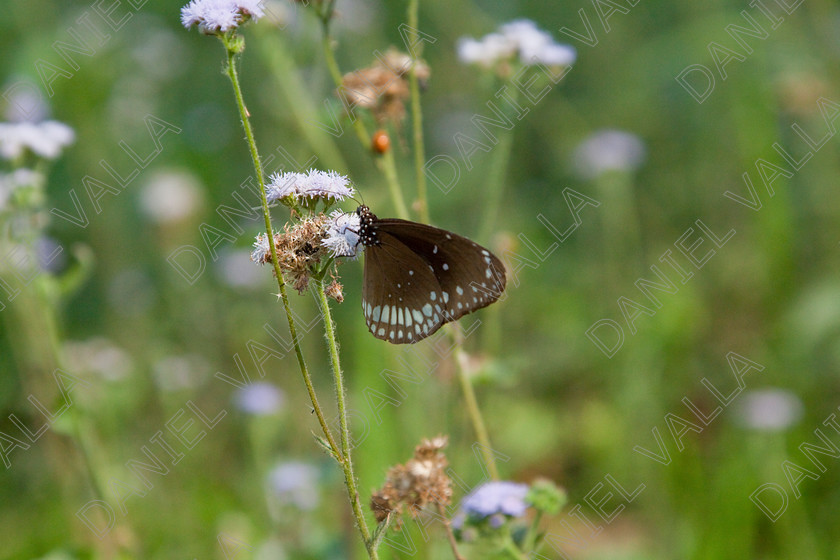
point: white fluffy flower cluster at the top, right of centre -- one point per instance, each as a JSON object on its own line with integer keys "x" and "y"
{"x": 521, "y": 37}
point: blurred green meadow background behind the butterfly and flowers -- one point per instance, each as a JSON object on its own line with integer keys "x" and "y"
{"x": 149, "y": 344}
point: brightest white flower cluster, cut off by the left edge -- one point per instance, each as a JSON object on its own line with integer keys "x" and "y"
{"x": 45, "y": 139}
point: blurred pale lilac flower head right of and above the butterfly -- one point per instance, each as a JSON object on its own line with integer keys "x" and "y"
{"x": 608, "y": 150}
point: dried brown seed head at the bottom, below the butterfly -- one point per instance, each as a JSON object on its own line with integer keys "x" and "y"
{"x": 420, "y": 481}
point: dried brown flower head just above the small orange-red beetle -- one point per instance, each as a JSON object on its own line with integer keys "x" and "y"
{"x": 383, "y": 87}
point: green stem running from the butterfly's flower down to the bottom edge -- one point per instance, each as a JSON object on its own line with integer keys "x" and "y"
{"x": 347, "y": 463}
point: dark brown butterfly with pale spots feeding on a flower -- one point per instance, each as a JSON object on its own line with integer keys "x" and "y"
{"x": 418, "y": 277}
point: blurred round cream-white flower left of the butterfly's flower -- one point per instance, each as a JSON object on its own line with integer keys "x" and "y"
{"x": 170, "y": 196}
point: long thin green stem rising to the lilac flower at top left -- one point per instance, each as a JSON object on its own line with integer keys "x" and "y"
{"x": 252, "y": 145}
